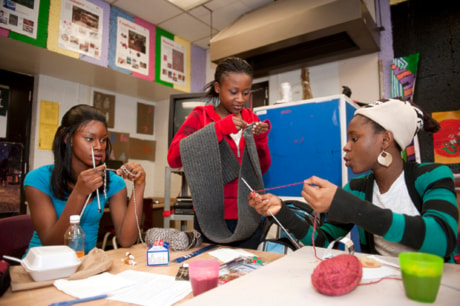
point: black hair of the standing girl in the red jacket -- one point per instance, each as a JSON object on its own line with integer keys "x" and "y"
{"x": 226, "y": 66}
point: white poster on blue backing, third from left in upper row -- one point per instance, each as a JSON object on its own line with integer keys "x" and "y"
{"x": 132, "y": 49}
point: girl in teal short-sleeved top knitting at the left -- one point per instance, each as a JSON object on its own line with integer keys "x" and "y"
{"x": 78, "y": 182}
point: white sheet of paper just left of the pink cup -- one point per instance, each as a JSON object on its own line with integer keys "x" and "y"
{"x": 151, "y": 289}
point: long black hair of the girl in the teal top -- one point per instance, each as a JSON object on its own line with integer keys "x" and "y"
{"x": 75, "y": 118}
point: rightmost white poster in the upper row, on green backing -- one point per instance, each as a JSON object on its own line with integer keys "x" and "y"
{"x": 172, "y": 62}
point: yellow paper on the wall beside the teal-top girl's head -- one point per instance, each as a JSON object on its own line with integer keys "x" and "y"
{"x": 49, "y": 122}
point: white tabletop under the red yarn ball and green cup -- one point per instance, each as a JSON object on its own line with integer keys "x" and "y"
{"x": 287, "y": 281}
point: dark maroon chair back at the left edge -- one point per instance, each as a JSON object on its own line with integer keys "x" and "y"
{"x": 15, "y": 235}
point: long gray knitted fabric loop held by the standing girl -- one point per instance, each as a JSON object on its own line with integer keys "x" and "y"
{"x": 208, "y": 165}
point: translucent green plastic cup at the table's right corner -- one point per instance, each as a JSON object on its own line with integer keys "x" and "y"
{"x": 421, "y": 274}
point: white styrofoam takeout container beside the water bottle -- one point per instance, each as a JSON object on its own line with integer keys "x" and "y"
{"x": 50, "y": 262}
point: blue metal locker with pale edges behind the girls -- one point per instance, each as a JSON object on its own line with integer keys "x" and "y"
{"x": 307, "y": 138}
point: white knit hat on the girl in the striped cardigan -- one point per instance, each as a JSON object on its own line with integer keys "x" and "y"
{"x": 399, "y": 117}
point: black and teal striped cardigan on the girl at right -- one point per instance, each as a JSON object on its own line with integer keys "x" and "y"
{"x": 431, "y": 188}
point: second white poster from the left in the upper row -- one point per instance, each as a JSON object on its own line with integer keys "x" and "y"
{"x": 81, "y": 27}
